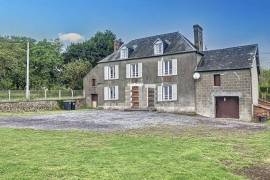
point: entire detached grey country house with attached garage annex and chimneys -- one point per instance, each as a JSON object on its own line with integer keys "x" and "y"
{"x": 168, "y": 73}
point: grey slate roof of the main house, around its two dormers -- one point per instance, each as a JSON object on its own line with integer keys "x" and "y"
{"x": 144, "y": 47}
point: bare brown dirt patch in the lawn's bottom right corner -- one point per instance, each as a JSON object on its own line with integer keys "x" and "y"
{"x": 257, "y": 172}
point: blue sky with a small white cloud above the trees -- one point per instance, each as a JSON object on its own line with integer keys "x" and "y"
{"x": 226, "y": 23}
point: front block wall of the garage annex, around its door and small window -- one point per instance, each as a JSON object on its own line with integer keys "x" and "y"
{"x": 233, "y": 83}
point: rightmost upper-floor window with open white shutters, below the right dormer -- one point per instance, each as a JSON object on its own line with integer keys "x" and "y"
{"x": 167, "y": 67}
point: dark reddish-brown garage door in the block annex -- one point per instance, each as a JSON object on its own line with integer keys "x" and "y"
{"x": 227, "y": 107}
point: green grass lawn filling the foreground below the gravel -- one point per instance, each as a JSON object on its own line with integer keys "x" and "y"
{"x": 163, "y": 153}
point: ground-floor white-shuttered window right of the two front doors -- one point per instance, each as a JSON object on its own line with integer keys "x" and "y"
{"x": 167, "y": 92}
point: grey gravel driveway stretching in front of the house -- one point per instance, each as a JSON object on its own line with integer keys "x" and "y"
{"x": 98, "y": 120}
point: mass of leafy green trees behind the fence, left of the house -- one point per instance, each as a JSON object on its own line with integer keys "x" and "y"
{"x": 49, "y": 67}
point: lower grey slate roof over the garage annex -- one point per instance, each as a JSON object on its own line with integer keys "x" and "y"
{"x": 230, "y": 58}
